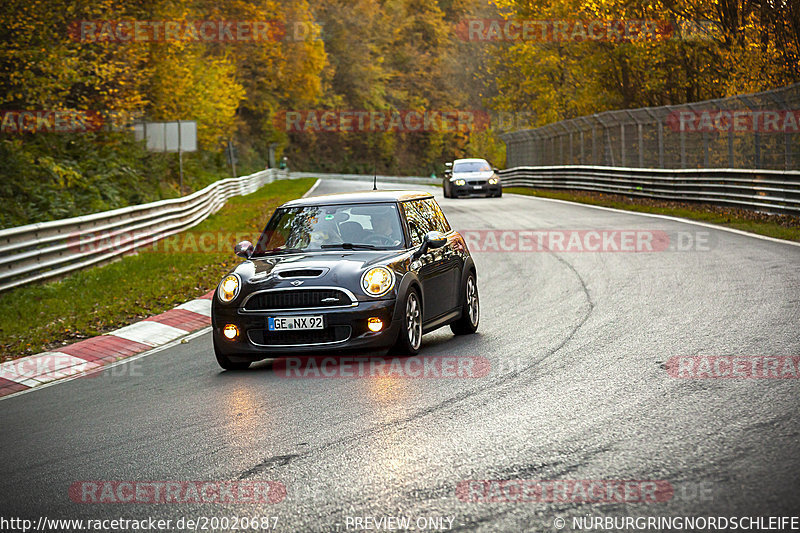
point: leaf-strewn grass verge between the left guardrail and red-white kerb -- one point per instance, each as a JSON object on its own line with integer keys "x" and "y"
{"x": 42, "y": 317}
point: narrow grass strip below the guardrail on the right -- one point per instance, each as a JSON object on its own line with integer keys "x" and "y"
{"x": 777, "y": 226}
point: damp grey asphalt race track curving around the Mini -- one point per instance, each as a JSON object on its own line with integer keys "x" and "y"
{"x": 577, "y": 391}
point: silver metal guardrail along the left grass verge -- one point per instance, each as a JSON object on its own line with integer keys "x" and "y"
{"x": 46, "y": 250}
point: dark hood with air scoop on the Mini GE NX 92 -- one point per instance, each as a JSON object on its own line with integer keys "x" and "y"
{"x": 338, "y": 268}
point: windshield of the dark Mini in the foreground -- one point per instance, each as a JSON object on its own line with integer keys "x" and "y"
{"x": 364, "y": 226}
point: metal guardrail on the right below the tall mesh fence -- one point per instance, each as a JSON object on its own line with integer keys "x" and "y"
{"x": 761, "y": 190}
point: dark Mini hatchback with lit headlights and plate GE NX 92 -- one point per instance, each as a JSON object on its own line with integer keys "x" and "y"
{"x": 342, "y": 272}
